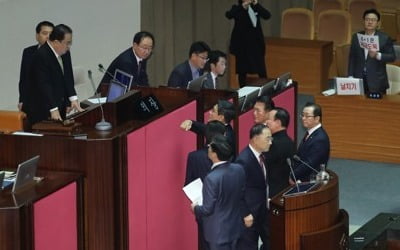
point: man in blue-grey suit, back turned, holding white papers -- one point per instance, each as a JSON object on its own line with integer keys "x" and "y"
{"x": 223, "y": 191}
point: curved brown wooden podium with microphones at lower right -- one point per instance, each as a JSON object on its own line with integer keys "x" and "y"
{"x": 309, "y": 221}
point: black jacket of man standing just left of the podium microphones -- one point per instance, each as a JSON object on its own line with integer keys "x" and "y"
{"x": 278, "y": 171}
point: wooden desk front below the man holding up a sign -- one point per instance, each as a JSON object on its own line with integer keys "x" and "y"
{"x": 361, "y": 128}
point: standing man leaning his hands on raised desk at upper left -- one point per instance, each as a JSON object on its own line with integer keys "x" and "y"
{"x": 51, "y": 90}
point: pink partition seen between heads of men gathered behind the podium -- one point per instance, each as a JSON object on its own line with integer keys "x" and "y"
{"x": 286, "y": 100}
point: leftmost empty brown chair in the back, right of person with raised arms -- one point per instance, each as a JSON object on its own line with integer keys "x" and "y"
{"x": 297, "y": 23}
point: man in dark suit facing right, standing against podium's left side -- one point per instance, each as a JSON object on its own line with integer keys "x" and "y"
{"x": 256, "y": 193}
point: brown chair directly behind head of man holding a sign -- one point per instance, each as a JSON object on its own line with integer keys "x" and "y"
{"x": 356, "y": 9}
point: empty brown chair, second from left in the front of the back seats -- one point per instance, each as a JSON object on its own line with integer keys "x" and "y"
{"x": 334, "y": 25}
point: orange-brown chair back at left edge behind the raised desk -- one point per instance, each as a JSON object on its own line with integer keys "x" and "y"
{"x": 12, "y": 121}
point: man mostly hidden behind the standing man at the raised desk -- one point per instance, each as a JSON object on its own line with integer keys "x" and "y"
{"x": 43, "y": 30}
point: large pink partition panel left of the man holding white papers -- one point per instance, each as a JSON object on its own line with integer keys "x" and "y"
{"x": 159, "y": 212}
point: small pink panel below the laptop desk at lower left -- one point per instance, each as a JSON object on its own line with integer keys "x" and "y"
{"x": 55, "y": 220}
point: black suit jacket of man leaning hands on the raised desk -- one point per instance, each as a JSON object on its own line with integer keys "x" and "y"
{"x": 49, "y": 86}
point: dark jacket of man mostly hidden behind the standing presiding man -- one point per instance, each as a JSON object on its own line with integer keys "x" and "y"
{"x": 23, "y": 85}
